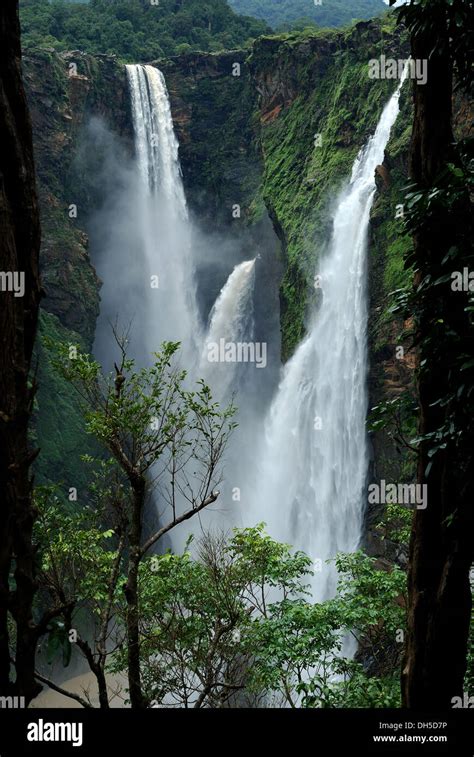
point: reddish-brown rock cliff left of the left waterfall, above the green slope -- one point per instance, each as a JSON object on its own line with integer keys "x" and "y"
{"x": 63, "y": 90}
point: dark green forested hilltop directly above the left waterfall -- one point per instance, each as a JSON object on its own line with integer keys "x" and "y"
{"x": 136, "y": 30}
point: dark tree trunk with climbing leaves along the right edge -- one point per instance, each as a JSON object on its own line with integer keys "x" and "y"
{"x": 439, "y": 213}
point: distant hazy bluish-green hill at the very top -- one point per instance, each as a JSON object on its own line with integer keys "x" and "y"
{"x": 284, "y": 13}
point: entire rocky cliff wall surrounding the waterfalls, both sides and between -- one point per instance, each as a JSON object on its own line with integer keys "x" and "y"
{"x": 273, "y": 134}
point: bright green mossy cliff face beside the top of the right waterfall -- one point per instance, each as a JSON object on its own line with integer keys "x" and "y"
{"x": 312, "y": 129}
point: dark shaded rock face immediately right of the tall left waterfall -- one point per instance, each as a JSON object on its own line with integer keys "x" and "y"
{"x": 213, "y": 102}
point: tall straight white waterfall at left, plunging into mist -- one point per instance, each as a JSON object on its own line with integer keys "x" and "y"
{"x": 169, "y": 310}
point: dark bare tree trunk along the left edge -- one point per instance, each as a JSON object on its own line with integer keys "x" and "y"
{"x": 19, "y": 250}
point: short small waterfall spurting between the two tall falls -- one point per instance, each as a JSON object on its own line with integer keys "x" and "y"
{"x": 230, "y": 322}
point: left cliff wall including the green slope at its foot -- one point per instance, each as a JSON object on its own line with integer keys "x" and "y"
{"x": 63, "y": 92}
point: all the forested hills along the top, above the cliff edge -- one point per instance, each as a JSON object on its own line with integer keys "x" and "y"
{"x": 138, "y": 30}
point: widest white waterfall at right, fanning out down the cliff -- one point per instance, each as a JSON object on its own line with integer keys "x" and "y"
{"x": 313, "y": 462}
